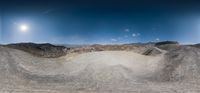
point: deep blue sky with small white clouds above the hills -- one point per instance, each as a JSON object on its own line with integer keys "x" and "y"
{"x": 105, "y": 21}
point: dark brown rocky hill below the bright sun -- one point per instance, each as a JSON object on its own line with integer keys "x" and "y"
{"x": 41, "y": 50}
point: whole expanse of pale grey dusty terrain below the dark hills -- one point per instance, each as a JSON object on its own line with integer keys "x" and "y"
{"x": 142, "y": 69}
